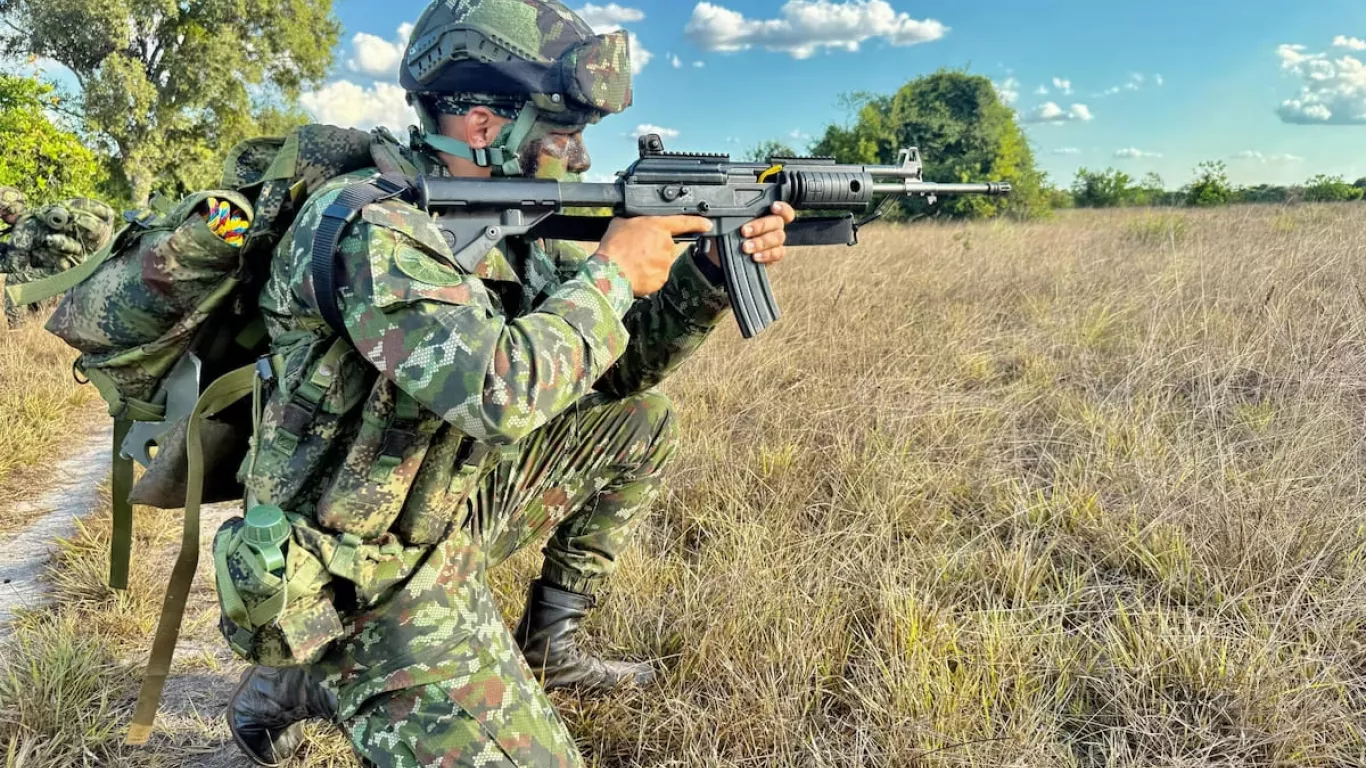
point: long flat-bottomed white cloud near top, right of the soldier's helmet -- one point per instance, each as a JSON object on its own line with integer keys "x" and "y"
{"x": 807, "y": 27}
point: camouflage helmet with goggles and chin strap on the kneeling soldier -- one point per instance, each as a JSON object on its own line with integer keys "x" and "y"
{"x": 533, "y": 62}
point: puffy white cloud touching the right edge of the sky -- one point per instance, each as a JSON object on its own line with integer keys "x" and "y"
{"x": 1333, "y": 91}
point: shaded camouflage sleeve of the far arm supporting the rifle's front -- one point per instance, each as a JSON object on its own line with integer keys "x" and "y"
{"x": 666, "y": 329}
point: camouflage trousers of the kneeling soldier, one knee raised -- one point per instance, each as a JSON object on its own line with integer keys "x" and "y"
{"x": 434, "y": 677}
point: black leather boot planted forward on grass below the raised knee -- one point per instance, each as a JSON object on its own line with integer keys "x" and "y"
{"x": 546, "y": 636}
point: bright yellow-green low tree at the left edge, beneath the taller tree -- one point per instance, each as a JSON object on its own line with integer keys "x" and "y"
{"x": 38, "y": 155}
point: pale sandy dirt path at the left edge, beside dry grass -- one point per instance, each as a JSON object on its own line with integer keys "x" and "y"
{"x": 74, "y": 493}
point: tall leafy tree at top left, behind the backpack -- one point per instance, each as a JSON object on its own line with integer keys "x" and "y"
{"x": 171, "y": 85}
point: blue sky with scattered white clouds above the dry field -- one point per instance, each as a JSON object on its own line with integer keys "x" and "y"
{"x": 1223, "y": 66}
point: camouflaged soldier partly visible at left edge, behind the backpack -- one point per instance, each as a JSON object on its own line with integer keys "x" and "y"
{"x": 51, "y": 240}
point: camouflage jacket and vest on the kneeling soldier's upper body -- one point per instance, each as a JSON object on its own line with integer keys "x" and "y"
{"x": 450, "y": 357}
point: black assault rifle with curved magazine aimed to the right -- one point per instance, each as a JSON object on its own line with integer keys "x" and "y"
{"x": 476, "y": 215}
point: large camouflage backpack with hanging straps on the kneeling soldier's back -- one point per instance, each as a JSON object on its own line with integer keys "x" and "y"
{"x": 170, "y": 333}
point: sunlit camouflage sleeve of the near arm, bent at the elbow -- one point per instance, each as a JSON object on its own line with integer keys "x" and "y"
{"x": 438, "y": 335}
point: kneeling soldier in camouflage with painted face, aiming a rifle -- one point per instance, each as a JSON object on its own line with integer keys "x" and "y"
{"x": 472, "y": 412}
